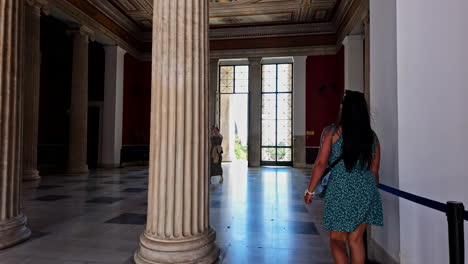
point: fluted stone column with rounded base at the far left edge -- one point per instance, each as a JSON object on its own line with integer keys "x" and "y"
{"x": 12, "y": 222}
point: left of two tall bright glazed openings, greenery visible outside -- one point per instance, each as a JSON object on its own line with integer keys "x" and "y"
{"x": 233, "y": 111}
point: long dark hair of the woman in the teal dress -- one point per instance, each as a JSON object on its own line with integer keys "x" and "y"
{"x": 358, "y": 136}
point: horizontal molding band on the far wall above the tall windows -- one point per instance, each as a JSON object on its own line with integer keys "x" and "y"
{"x": 274, "y": 52}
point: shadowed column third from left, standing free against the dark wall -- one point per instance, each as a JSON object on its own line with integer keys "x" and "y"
{"x": 78, "y": 135}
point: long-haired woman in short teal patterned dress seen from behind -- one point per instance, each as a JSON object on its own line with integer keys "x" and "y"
{"x": 352, "y": 200}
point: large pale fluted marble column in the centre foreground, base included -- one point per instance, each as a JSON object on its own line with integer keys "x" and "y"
{"x": 178, "y": 227}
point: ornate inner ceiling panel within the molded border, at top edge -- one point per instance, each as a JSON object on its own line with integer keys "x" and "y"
{"x": 228, "y": 13}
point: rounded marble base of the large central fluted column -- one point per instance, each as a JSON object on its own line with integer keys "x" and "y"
{"x": 200, "y": 250}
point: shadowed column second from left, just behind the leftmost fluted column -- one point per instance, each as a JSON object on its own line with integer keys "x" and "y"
{"x": 31, "y": 86}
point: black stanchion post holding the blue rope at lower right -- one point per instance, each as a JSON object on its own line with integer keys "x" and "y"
{"x": 455, "y": 220}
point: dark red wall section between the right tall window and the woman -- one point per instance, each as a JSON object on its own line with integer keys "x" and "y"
{"x": 324, "y": 91}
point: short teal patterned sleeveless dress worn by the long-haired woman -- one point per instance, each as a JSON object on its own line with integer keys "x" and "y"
{"x": 352, "y": 198}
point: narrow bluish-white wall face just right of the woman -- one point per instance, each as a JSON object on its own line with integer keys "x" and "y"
{"x": 383, "y": 98}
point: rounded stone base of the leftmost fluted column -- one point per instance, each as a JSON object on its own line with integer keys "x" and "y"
{"x": 13, "y": 231}
